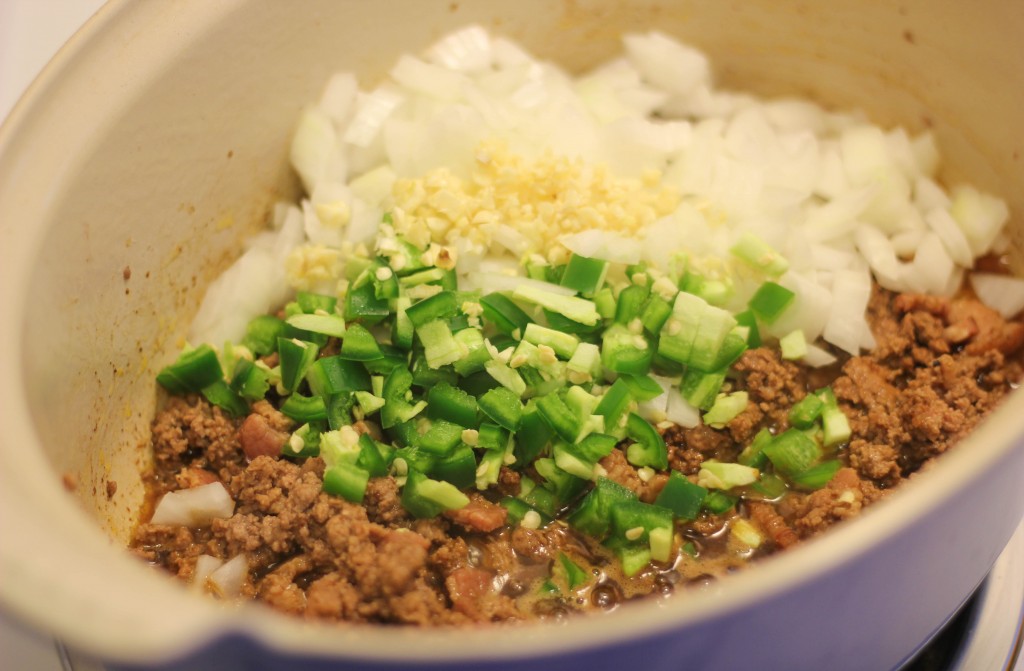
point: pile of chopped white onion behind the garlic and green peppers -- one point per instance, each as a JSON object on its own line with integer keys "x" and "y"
{"x": 842, "y": 200}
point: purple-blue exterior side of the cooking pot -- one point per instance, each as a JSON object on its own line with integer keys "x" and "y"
{"x": 930, "y": 571}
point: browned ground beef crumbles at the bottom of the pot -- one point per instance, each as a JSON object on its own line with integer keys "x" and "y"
{"x": 940, "y": 367}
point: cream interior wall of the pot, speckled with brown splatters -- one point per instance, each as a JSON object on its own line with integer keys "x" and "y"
{"x": 176, "y": 178}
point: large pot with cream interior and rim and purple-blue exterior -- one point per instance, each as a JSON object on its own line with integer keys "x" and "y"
{"x": 157, "y": 141}
